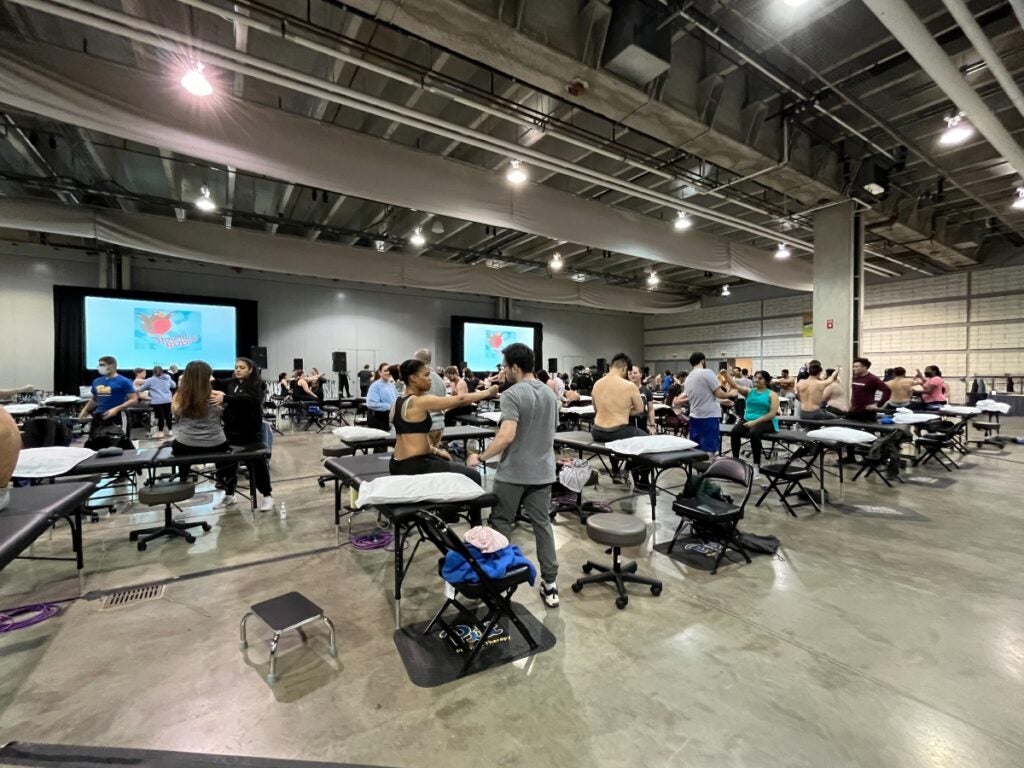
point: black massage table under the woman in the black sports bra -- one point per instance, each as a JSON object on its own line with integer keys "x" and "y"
{"x": 352, "y": 472}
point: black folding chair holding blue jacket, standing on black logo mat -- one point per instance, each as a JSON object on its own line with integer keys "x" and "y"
{"x": 495, "y": 593}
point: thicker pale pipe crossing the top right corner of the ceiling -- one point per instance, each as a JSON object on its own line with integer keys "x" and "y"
{"x": 913, "y": 35}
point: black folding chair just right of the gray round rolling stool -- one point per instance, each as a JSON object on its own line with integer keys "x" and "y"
{"x": 714, "y": 520}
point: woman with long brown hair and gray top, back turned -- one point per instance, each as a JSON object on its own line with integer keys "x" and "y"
{"x": 199, "y": 430}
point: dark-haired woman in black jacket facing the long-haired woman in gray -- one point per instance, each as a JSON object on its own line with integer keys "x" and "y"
{"x": 243, "y": 397}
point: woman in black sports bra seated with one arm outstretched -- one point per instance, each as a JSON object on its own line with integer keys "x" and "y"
{"x": 411, "y": 417}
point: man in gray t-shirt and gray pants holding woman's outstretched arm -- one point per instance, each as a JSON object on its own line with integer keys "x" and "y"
{"x": 526, "y": 441}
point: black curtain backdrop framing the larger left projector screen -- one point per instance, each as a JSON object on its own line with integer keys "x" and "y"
{"x": 70, "y": 371}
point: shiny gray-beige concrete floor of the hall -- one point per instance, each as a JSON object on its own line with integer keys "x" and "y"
{"x": 872, "y": 641}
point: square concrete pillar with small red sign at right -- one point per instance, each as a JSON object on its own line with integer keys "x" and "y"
{"x": 839, "y": 280}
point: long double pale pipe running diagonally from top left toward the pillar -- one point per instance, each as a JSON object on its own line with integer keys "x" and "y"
{"x": 160, "y": 37}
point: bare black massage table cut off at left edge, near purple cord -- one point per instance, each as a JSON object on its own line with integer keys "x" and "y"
{"x": 33, "y": 510}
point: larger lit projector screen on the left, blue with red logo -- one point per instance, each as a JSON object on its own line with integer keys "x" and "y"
{"x": 144, "y": 333}
